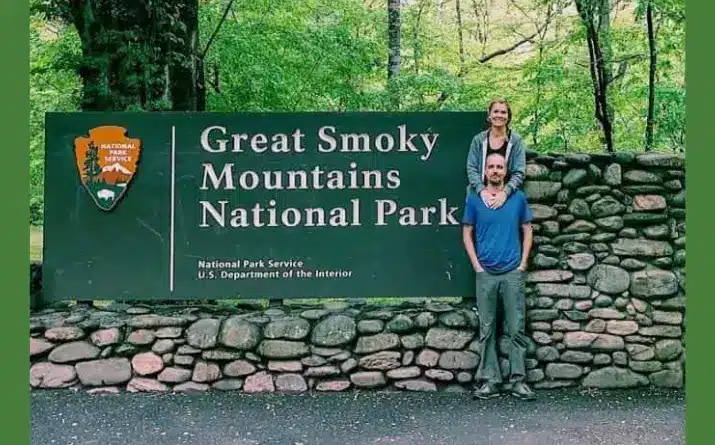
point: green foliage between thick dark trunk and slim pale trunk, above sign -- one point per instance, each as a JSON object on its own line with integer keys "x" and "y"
{"x": 278, "y": 55}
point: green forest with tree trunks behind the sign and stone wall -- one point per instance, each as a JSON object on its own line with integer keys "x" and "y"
{"x": 581, "y": 75}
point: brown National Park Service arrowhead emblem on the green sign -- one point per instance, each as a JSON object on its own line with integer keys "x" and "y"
{"x": 107, "y": 161}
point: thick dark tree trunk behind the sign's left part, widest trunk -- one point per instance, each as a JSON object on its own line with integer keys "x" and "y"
{"x": 130, "y": 58}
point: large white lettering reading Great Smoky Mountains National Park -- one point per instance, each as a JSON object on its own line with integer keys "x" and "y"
{"x": 231, "y": 177}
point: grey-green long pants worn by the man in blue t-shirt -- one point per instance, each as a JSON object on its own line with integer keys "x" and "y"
{"x": 508, "y": 289}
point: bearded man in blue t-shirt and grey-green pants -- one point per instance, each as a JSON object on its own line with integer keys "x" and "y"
{"x": 493, "y": 240}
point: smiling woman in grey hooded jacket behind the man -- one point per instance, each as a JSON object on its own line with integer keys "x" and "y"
{"x": 497, "y": 138}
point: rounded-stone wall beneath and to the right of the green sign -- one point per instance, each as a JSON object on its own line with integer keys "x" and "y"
{"x": 605, "y": 309}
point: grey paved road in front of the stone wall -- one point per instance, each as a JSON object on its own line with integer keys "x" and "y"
{"x": 642, "y": 417}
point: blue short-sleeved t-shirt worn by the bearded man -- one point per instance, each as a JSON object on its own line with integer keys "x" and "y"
{"x": 498, "y": 231}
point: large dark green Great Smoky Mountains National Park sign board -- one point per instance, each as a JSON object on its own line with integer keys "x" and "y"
{"x": 208, "y": 205}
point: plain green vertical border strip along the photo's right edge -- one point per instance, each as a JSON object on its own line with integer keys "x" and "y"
{"x": 700, "y": 247}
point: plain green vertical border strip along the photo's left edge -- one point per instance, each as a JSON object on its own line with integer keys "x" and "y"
{"x": 15, "y": 235}
